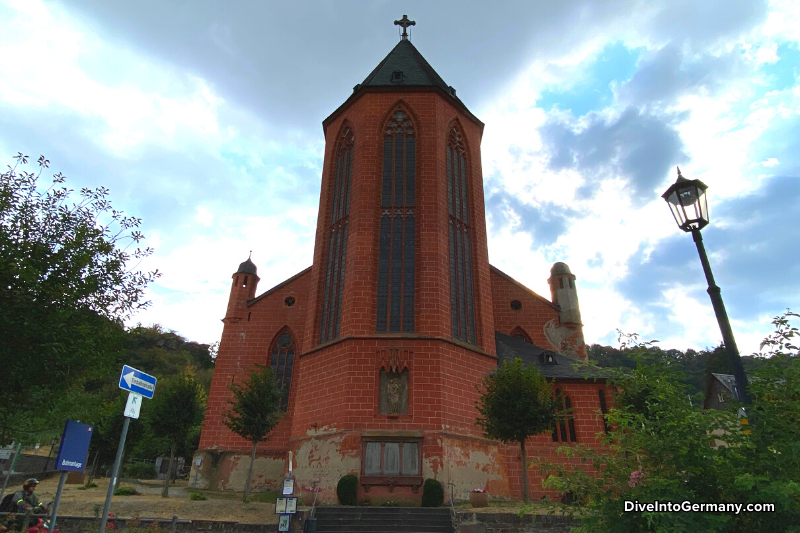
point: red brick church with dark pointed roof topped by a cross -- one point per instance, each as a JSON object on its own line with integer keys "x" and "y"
{"x": 380, "y": 343}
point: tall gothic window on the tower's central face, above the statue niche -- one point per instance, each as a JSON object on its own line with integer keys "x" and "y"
{"x": 395, "y": 298}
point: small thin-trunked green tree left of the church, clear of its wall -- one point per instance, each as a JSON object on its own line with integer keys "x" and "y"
{"x": 176, "y": 408}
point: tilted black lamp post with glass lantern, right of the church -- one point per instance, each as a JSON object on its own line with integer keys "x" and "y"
{"x": 687, "y": 200}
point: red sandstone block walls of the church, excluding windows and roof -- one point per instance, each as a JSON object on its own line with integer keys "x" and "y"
{"x": 334, "y": 386}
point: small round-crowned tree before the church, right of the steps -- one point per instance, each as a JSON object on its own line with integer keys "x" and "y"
{"x": 516, "y": 403}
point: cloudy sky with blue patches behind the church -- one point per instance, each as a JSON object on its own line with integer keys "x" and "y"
{"x": 204, "y": 120}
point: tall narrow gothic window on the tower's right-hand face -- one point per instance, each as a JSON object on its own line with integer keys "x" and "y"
{"x": 462, "y": 305}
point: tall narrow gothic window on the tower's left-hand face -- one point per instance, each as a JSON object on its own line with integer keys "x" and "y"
{"x": 337, "y": 239}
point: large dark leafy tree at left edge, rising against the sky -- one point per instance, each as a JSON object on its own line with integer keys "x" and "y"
{"x": 67, "y": 287}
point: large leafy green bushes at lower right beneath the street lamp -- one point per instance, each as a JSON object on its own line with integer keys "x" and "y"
{"x": 662, "y": 448}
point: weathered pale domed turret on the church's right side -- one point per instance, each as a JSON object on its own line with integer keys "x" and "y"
{"x": 565, "y": 295}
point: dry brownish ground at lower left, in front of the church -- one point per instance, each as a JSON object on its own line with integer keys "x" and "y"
{"x": 150, "y": 504}
